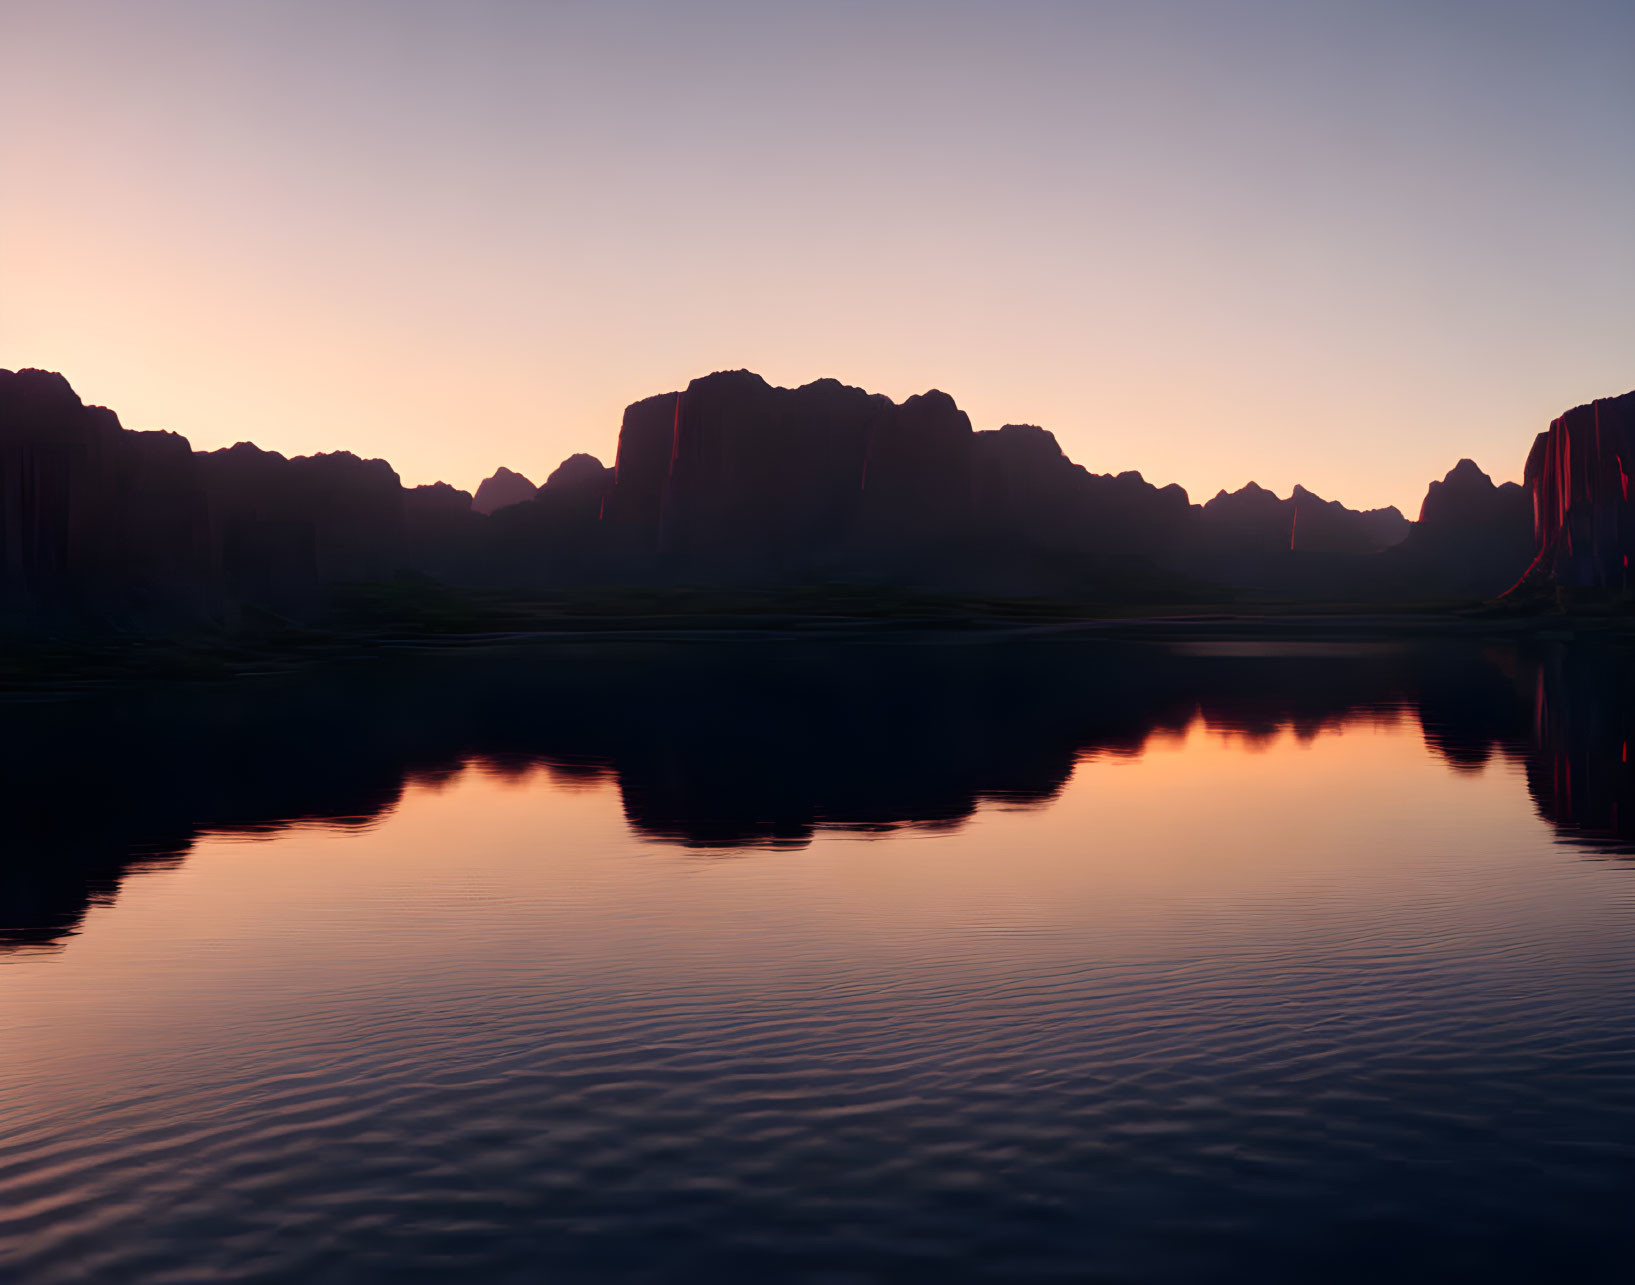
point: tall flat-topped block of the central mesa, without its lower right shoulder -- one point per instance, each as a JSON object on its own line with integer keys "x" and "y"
{"x": 737, "y": 480}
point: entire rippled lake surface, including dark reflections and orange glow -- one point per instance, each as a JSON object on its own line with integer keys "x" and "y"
{"x": 833, "y": 965}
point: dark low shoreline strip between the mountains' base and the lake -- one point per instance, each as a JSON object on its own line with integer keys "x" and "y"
{"x": 377, "y": 620}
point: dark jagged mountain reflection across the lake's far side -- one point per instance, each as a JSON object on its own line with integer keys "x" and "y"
{"x": 732, "y": 746}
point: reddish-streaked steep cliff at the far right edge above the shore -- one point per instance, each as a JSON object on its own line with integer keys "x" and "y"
{"x": 1579, "y": 480}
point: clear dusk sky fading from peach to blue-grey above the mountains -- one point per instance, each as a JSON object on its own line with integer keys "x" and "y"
{"x": 1337, "y": 244}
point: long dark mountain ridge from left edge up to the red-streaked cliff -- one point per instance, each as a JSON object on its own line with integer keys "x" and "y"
{"x": 727, "y": 481}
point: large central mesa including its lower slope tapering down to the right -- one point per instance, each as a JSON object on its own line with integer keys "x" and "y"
{"x": 735, "y": 478}
